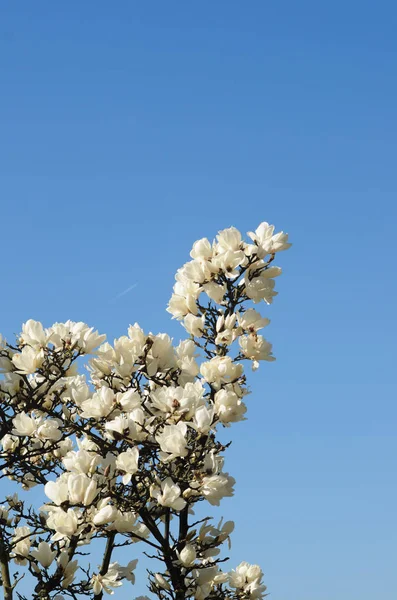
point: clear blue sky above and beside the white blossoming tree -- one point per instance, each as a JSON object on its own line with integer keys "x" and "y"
{"x": 130, "y": 129}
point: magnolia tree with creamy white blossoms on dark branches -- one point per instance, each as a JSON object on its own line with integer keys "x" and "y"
{"x": 124, "y": 451}
